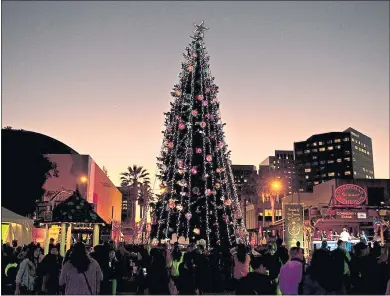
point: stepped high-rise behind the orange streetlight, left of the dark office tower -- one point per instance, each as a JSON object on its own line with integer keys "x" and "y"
{"x": 279, "y": 167}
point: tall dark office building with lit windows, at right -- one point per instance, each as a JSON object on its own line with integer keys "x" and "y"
{"x": 342, "y": 155}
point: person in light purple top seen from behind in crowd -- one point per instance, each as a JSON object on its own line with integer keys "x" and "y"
{"x": 291, "y": 274}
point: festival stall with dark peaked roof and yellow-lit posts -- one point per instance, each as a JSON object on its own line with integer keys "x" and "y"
{"x": 73, "y": 220}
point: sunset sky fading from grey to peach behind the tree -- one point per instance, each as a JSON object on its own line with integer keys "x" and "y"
{"x": 98, "y": 75}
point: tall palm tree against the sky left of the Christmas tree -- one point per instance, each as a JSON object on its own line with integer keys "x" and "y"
{"x": 132, "y": 180}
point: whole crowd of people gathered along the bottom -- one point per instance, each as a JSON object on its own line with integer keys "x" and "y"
{"x": 162, "y": 270}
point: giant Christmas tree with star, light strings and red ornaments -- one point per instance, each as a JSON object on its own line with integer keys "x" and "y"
{"x": 198, "y": 198}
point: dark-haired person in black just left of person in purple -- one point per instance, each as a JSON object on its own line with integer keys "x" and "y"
{"x": 257, "y": 282}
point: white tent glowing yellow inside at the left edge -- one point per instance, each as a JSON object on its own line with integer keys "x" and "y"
{"x": 14, "y": 226}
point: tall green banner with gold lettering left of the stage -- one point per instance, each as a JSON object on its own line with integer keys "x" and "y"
{"x": 293, "y": 224}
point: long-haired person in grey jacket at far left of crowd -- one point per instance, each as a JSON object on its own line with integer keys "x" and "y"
{"x": 26, "y": 277}
